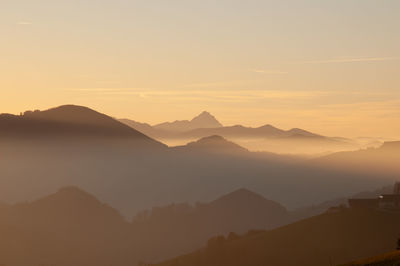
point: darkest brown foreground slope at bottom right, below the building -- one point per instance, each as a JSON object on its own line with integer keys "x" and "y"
{"x": 327, "y": 239}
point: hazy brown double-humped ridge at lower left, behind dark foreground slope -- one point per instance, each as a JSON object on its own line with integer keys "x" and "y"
{"x": 72, "y": 227}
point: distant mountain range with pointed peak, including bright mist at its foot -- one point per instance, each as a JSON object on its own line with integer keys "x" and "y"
{"x": 263, "y": 138}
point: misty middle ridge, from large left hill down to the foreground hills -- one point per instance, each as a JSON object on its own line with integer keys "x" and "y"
{"x": 71, "y": 145}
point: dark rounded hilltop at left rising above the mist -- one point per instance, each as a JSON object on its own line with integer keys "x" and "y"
{"x": 67, "y": 121}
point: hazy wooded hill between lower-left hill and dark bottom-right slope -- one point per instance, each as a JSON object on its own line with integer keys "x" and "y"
{"x": 182, "y": 228}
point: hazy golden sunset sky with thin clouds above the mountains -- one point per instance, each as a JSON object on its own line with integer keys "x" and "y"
{"x": 332, "y": 67}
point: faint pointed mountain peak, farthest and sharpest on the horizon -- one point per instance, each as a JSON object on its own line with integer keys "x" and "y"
{"x": 203, "y": 120}
